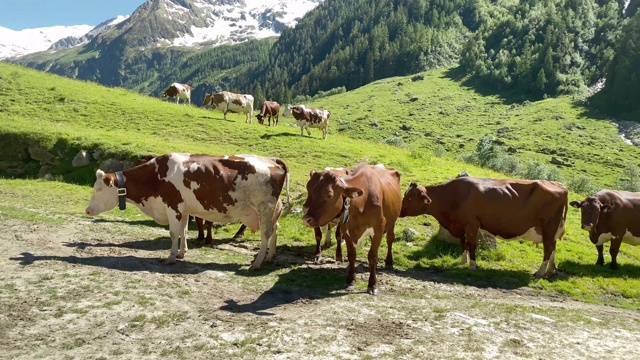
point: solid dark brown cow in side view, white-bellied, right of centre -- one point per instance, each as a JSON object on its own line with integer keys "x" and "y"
{"x": 535, "y": 210}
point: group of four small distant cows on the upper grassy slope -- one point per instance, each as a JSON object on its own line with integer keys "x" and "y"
{"x": 225, "y": 101}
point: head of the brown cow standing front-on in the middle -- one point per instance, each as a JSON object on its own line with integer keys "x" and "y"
{"x": 325, "y": 198}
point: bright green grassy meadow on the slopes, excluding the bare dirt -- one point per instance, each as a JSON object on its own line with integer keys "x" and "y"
{"x": 66, "y": 116}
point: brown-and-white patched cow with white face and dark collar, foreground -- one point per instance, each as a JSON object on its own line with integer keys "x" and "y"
{"x": 221, "y": 189}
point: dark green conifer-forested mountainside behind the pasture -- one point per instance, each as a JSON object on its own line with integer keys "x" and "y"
{"x": 531, "y": 49}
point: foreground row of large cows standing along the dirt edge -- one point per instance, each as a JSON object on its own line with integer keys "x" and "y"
{"x": 358, "y": 203}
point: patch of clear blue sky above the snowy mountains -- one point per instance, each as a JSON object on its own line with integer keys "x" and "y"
{"x": 22, "y": 14}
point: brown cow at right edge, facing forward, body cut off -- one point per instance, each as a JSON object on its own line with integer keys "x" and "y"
{"x": 611, "y": 215}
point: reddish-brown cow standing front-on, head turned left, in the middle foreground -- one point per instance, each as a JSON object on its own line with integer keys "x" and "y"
{"x": 370, "y": 201}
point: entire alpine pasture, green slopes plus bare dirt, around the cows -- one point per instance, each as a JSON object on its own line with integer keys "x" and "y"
{"x": 98, "y": 283}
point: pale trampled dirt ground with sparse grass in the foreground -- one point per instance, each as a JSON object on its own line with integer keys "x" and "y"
{"x": 97, "y": 290}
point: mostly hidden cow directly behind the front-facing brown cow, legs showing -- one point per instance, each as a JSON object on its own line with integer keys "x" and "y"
{"x": 314, "y": 178}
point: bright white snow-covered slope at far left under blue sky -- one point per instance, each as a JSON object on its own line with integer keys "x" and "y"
{"x": 17, "y": 43}
